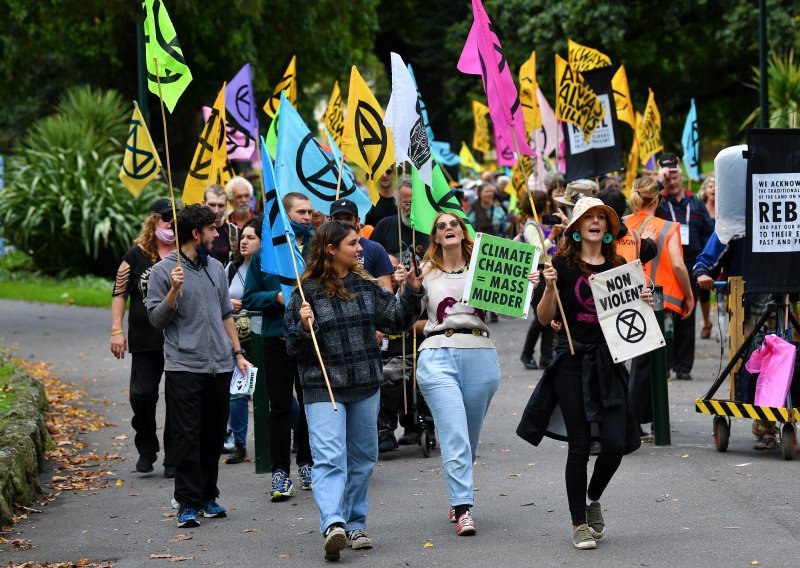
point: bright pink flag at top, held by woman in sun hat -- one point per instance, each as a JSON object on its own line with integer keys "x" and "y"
{"x": 483, "y": 55}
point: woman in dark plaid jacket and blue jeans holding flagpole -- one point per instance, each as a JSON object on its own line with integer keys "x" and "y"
{"x": 345, "y": 306}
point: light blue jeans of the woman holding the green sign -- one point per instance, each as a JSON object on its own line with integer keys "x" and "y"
{"x": 458, "y": 385}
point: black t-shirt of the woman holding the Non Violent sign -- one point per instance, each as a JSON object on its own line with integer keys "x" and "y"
{"x": 578, "y": 302}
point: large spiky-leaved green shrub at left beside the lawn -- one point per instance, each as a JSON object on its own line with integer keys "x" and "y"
{"x": 64, "y": 202}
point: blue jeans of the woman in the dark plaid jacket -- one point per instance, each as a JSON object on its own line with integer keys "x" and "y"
{"x": 344, "y": 446}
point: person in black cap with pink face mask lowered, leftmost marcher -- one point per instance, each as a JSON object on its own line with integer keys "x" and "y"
{"x": 145, "y": 343}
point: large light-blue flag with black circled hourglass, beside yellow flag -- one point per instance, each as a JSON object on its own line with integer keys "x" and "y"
{"x": 302, "y": 165}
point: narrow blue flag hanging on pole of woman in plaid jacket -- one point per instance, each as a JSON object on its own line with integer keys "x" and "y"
{"x": 278, "y": 243}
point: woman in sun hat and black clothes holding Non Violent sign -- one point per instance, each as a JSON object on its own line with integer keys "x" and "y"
{"x": 589, "y": 389}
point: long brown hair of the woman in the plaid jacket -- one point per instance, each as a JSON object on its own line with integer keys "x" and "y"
{"x": 320, "y": 266}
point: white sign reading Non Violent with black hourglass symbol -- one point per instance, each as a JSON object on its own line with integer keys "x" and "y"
{"x": 628, "y": 322}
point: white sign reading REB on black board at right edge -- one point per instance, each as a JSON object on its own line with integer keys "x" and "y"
{"x": 776, "y": 212}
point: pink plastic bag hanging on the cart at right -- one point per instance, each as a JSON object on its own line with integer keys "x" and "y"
{"x": 774, "y": 363}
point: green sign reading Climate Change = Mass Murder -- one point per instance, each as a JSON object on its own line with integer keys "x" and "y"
{"x": 497, "y": 279}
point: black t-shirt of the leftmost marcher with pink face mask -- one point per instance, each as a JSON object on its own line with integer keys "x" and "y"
{"x": 141, "y": 335}
